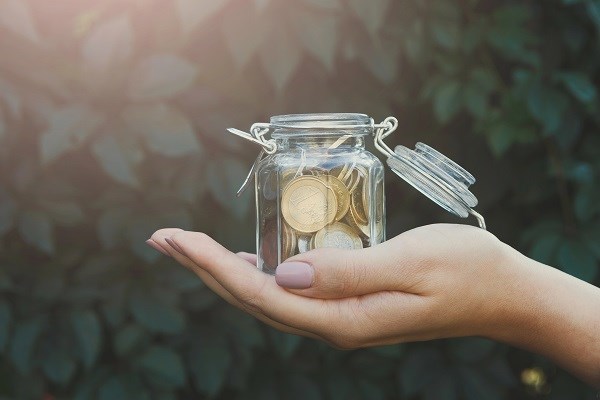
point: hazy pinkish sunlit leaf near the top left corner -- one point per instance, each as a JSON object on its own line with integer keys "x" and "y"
{"x": 109, "y": 45}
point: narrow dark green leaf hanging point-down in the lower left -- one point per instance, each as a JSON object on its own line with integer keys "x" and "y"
{"x": 88, "y": 334}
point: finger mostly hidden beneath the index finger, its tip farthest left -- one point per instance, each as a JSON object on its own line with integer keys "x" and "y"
{"x": 160, "y": 239}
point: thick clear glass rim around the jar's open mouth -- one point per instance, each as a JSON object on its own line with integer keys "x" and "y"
{"x": 321, "y": 123}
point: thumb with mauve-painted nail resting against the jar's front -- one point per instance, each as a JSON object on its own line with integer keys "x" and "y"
{"x": 336, "y": 273}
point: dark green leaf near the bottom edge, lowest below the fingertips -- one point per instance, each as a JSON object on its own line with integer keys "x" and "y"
{"x": 163, "y": 365}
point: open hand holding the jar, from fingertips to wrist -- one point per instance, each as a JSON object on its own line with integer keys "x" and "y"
{"x": 431, "y": 282}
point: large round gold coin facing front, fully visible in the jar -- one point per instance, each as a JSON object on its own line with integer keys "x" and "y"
{"x": 308, "y": 204}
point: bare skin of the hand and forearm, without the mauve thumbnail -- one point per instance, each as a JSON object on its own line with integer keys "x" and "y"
{"x": 436, "y": 281}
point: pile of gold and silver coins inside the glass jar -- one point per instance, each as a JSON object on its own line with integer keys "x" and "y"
{"x": 322, "y": 208}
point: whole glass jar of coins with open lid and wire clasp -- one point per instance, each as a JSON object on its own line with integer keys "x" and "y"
{"x": 319, "y": 187}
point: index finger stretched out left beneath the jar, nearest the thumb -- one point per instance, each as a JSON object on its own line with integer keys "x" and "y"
{"x": 257, "y": 291}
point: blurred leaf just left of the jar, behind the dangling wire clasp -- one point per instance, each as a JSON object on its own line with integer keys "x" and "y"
{"x": 225, "y": 175}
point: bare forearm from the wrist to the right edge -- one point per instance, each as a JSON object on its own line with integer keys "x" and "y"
{"x": 553, "y": 314}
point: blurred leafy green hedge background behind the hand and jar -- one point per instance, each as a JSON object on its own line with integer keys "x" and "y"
{"x": 112, "y": 124}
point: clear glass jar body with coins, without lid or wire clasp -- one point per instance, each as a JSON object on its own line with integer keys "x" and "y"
{"x": 320, "y": 188}
